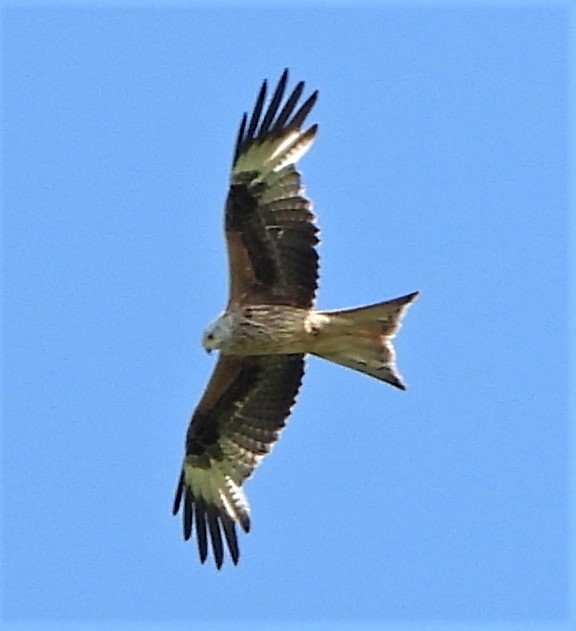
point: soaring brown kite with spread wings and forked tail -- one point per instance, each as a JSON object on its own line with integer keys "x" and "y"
{"x": 269, "y": 324}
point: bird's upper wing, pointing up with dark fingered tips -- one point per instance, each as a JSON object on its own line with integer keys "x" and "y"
{"x": 269, "y": 222}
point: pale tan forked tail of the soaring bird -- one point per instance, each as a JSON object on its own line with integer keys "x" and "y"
{"x": 361, "y": 338}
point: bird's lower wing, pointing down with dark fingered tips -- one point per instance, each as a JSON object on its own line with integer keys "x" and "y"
{"x": 234, "y": 426}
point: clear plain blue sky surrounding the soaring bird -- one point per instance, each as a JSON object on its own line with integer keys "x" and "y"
{"x": 441, "y": 165}
